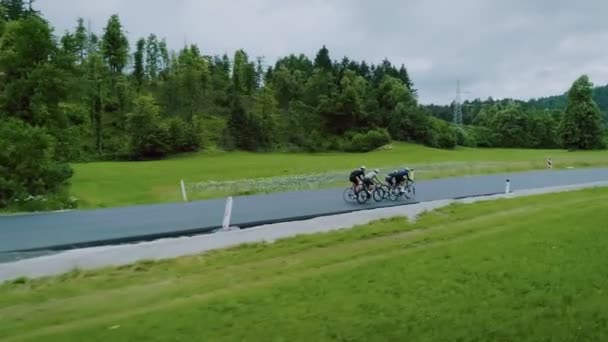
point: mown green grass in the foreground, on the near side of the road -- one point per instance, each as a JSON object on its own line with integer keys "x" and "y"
{"x": 527, "y": 269}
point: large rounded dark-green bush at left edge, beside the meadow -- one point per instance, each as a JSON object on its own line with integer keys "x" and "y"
{"x": 28, "y": 163}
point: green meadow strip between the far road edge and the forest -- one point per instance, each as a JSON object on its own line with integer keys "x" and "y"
{"x": 217, "y": 174}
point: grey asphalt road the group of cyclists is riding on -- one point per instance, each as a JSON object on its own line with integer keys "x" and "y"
{"x": 71, "y": 229}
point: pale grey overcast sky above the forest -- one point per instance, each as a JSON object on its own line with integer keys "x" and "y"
{"x": 510, "y": 48}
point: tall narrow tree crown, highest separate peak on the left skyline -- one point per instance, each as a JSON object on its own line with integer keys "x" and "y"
{"x": 115, "y": 45}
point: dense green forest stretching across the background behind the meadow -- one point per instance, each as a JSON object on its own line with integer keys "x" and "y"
{"x": 80, "y": 96}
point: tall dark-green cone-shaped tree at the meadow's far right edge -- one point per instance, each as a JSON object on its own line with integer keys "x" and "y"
{"x": 581, "y": 125}
